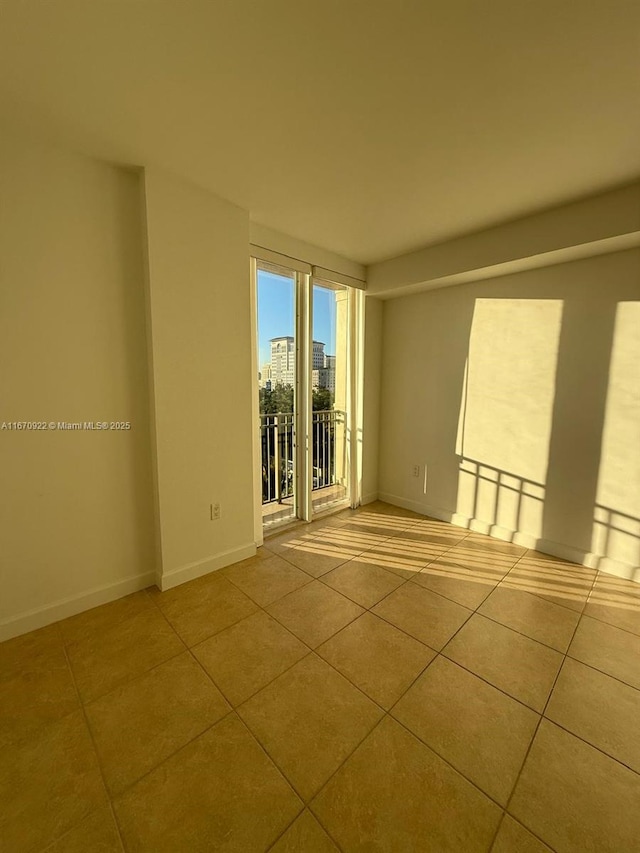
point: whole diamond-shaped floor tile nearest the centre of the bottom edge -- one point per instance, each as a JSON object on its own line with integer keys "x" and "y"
{"x": 309, "y": 720}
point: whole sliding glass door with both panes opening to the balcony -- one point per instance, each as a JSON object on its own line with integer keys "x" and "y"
{"x": 303, "y": 393}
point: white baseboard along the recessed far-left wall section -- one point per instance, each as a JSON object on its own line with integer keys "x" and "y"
{"x": 41, "y": 616}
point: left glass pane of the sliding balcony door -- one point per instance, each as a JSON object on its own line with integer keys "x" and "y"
{"x": 276, "y": 381}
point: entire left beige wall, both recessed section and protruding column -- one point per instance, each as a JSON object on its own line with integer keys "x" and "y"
{"x": 124, "y": 297}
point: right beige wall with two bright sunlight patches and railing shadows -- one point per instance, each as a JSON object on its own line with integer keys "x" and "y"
{"x": 521, "y": 396}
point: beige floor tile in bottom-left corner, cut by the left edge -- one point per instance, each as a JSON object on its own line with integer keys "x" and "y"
{"x": 48, "y": 784}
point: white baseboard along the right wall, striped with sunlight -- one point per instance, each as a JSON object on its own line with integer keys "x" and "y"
{"x": 526, "y": 540}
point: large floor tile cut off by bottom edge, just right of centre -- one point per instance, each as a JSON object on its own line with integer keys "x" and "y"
{"x": 394, "y": 794}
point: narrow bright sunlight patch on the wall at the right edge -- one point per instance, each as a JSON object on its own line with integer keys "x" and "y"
{"x": 616, "y": 529}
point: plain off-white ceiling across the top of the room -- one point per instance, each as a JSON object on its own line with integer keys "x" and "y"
{"x": 369, "y": 128}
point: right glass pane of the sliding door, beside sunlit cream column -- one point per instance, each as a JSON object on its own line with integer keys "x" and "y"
{"x": 330, "y": 463}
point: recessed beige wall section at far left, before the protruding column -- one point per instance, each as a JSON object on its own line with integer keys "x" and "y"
{"x": 75, "y": 507}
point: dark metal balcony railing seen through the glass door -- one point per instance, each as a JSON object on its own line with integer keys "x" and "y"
{"x": 278, "y": 448}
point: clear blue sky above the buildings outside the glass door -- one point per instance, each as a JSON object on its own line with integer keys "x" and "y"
{"x": 276, "y": 313}
